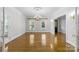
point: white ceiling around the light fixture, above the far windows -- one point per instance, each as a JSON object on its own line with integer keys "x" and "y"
{"x": 44, "y": 11}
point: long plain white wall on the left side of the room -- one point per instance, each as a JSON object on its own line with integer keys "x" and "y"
{"x": 16, "y": 23}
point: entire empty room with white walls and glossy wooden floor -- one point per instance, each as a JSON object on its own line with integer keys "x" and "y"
{"x": 39, "y": 29}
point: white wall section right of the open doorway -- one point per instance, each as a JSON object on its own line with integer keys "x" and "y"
{"x": 70, "y": 24}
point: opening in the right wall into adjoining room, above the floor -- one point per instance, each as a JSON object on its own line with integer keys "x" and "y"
{"x": 60, "y": 24}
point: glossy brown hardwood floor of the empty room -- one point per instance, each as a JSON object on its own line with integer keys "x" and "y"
{"x": 53, "y": 43}
